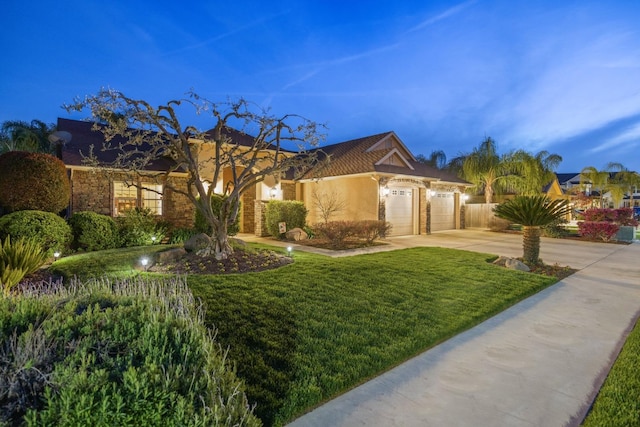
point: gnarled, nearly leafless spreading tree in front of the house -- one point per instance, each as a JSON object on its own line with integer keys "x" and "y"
{"x": 152, "y": 133}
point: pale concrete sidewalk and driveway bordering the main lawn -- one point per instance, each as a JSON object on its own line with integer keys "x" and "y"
{"x": 539, "y": 363}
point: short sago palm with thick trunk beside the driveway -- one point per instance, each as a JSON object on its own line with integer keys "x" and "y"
{"x": 533, "y": 213}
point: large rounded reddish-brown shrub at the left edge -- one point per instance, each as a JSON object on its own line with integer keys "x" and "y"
{"x": 33, "y": 181}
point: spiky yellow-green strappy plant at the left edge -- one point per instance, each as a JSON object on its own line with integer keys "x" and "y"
{"x": 17, "y": 259}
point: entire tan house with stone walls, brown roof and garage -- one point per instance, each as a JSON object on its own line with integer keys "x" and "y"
{"x": 376, "y": 177}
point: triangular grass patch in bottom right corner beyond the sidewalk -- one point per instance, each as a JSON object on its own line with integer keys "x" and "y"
{"x": 618, "y": 403}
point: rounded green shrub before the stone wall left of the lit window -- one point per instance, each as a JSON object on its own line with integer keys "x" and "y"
{"x": 93, "y": 232}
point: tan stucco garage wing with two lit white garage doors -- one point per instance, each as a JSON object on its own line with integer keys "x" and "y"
{"x": 379, "y": 178}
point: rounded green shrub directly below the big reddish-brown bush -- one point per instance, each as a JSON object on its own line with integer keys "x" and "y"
{"x": 50, "y": 231}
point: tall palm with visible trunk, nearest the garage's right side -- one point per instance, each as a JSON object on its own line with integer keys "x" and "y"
{"x": 486, "y": 169}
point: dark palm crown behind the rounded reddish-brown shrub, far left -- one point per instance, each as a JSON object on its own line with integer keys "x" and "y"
{"x": 16, "y": 135}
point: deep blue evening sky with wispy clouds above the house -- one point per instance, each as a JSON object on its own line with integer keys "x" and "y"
{"x": 561, "y": 76}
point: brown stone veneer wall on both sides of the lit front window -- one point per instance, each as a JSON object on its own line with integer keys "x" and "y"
{"x": 91, "y": 191}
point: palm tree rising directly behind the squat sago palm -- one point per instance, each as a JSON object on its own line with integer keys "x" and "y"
{"x": 533, "y": 172}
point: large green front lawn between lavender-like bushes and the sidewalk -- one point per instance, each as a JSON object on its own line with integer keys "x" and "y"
{"x": 305, "y": 333}
